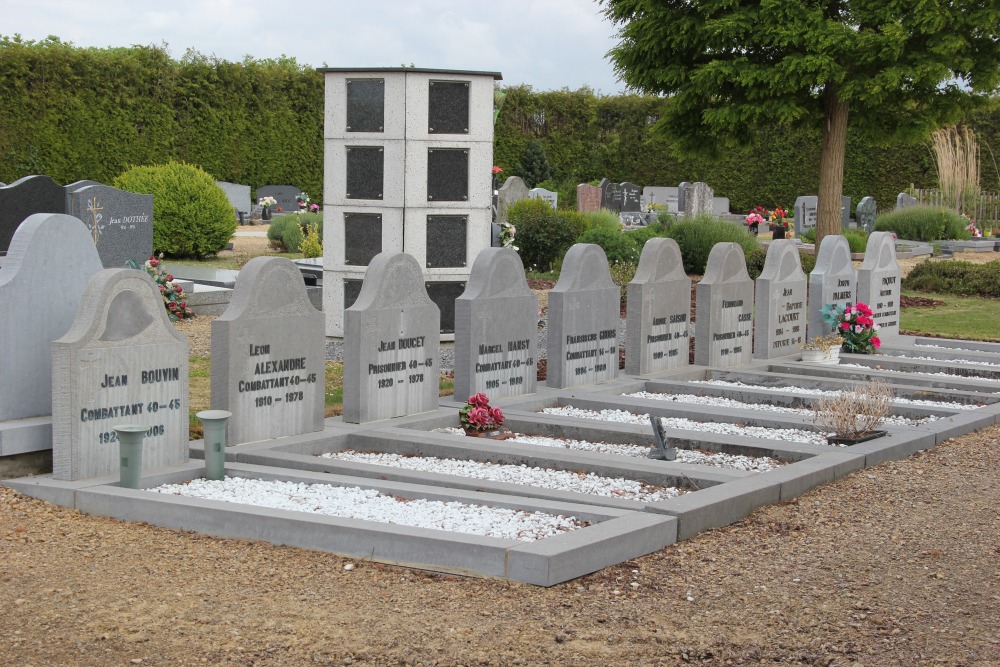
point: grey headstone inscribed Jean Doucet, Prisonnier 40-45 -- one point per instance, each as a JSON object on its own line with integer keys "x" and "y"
{"x": 391, "y": 348}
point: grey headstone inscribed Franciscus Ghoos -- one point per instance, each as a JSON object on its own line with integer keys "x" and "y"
{"x": 584, "y": 314}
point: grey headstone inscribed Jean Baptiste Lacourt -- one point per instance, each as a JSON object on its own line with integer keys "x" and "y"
{"x": 780, "y": 302}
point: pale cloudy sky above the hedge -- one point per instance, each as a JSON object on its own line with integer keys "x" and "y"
{"x": 547, "y": 44}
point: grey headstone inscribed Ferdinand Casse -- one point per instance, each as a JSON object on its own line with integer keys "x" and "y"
{"x": 724, "y": 310}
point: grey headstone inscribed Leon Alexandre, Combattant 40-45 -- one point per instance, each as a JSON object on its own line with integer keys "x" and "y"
{"x": 268, "y": 351}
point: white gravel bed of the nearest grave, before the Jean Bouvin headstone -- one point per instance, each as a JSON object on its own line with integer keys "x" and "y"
{"x": 372, "y": 505}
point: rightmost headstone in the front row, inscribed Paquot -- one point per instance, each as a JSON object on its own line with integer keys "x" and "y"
{"x": 879, "y": 281}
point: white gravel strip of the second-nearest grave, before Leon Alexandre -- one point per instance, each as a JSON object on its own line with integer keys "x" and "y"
{"x": 545, "y": 478}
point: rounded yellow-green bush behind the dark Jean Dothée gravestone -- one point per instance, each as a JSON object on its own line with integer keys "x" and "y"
{"x": 192, "y": 216}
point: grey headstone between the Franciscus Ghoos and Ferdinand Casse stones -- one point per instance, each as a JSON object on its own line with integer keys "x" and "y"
{"x": 659, "y": 305}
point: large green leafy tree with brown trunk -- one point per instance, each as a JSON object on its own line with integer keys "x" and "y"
{"x": 891, "y": 67}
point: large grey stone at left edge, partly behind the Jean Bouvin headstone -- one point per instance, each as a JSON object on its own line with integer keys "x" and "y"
{"x": 41, "y": 283}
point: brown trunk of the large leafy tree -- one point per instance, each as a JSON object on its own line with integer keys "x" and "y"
{"x": 831, "y": 166}
